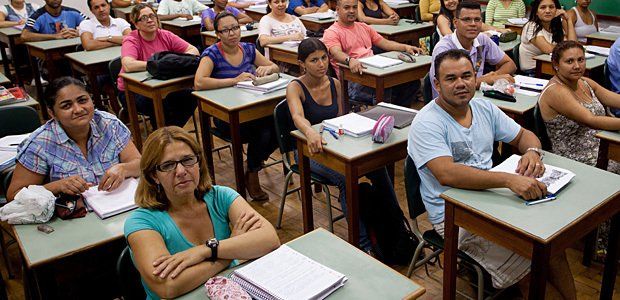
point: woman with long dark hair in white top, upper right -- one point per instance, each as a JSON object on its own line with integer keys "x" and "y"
{"x": 549, "y": 24}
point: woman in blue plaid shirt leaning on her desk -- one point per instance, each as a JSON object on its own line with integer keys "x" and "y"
{"x": 78, "y": 148}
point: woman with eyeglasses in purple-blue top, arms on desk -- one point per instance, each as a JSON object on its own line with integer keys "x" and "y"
{"x": 226, "y": 63}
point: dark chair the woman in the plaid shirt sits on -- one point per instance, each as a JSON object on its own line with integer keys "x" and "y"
{"x": 15, "y": 120}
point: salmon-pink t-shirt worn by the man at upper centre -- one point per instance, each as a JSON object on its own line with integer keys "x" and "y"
{"x": 355, "y": 40}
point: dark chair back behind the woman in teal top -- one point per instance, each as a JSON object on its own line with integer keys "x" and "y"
{"x": 129, "y": 279}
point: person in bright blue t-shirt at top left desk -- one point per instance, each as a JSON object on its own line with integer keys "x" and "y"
{"x": 52, "y": 22}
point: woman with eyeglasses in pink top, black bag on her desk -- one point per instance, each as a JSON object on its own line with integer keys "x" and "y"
{"x": 138, "y": 47}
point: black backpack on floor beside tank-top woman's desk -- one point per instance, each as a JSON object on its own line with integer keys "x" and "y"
{"x": 387, "y": 227}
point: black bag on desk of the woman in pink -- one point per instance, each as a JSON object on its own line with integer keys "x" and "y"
{"x": 167, "y": 64}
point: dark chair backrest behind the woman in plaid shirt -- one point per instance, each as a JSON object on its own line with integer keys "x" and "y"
{"x": 18, "y": 120}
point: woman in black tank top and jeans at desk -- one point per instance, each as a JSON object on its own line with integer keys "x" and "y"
{"x": 314, "y": 97}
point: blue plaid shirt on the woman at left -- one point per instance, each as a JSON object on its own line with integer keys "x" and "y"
{"x": 49, "y": 151}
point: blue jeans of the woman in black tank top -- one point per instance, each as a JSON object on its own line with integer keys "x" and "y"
{"x": 379, "y": 178}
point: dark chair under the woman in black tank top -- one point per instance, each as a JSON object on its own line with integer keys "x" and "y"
{"x": 284, "y": 125}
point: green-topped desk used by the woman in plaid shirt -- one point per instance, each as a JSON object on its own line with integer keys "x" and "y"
{"x": 69, "y": 238}
